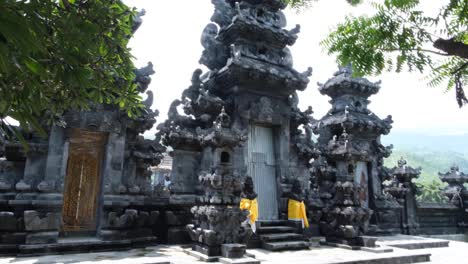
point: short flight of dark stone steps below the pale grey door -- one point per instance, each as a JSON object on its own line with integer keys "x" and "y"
{"x": 277, "y": 235}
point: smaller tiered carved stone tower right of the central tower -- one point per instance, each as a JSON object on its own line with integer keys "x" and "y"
{"x": 350, "y": 142}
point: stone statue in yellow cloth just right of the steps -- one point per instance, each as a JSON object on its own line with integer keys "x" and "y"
{"x": 296, "y": 207}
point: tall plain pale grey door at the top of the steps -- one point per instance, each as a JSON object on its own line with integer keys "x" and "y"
{"x": 262, "y": 169}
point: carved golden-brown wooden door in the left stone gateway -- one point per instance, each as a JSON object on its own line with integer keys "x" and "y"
{"x": 82, "y": 182}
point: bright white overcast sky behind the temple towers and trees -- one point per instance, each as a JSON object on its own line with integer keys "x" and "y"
{"x": 170, "y": 38}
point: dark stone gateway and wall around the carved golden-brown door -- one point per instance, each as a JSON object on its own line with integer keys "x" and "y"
{"x": 89, "y": 178}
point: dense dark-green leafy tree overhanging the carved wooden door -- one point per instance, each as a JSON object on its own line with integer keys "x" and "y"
{"x": 58, "y": 55}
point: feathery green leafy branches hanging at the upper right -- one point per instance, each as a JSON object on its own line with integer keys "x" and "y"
{"x": 400, "y": 35}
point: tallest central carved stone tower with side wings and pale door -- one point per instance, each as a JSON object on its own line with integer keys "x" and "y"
{"x": 241, "y": 117}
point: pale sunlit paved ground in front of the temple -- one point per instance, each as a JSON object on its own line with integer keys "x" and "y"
{"x": 455, "y": 253}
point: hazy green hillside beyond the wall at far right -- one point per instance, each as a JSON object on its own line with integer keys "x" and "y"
{"x": 433, "y": 153}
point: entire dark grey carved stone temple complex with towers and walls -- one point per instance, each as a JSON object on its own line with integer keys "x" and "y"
{"x": 236, "y": 133}
